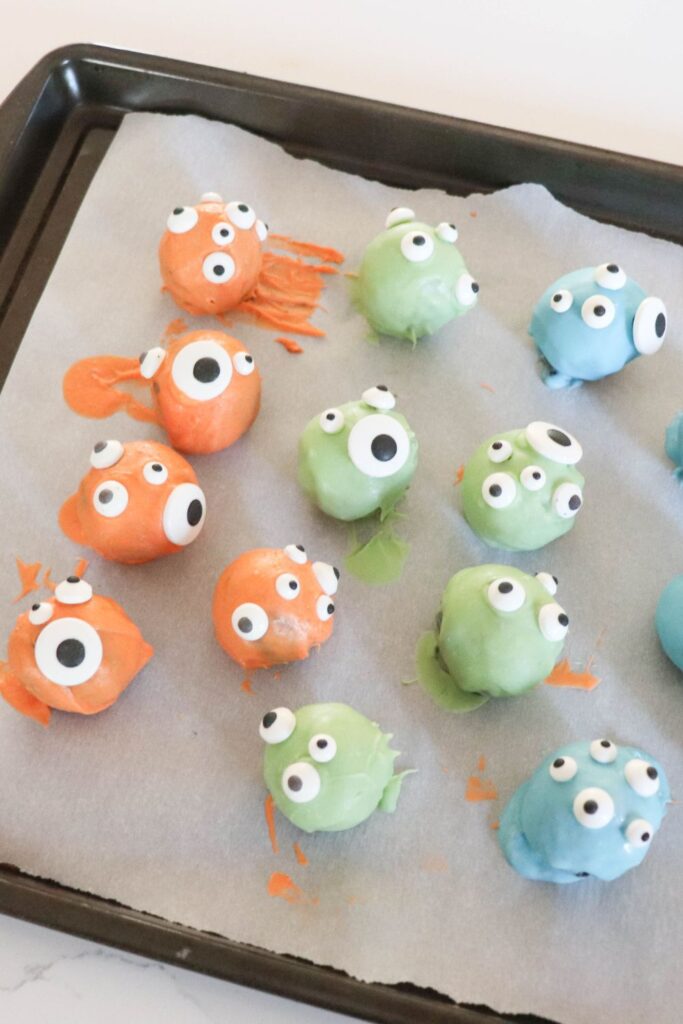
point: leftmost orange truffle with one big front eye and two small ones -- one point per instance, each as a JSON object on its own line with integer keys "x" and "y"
{"x": 77, "y": 653}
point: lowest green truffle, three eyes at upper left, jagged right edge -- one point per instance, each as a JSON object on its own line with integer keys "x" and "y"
{"x": 328, "y": 767}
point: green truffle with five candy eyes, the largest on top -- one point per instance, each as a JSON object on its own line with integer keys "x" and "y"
{"x": 522, "y": 490}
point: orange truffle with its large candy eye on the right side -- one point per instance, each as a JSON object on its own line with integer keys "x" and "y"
{"x": 139, "y": 501}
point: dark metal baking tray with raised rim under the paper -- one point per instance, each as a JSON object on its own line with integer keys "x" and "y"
{"x": 55, "y": 130}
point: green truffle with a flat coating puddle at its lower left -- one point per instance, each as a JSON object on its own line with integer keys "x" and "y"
{"x": 500, "y": 633}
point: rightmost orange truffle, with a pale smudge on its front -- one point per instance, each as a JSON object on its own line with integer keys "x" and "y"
{"x": 272, "y": 607}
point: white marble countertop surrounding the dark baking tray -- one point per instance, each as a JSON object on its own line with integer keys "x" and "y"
{"x": 609, "y": 75}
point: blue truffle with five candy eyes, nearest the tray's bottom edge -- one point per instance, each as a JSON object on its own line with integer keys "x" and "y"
{"x": 590, "y": 810}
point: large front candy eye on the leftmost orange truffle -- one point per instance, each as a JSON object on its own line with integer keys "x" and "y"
{"x": 69, "y": 652}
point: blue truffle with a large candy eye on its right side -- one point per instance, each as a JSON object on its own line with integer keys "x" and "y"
{"x": 591, "y": 323}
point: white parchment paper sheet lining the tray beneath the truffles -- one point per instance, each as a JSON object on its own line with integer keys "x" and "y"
{"x": 158, "y": 802}
